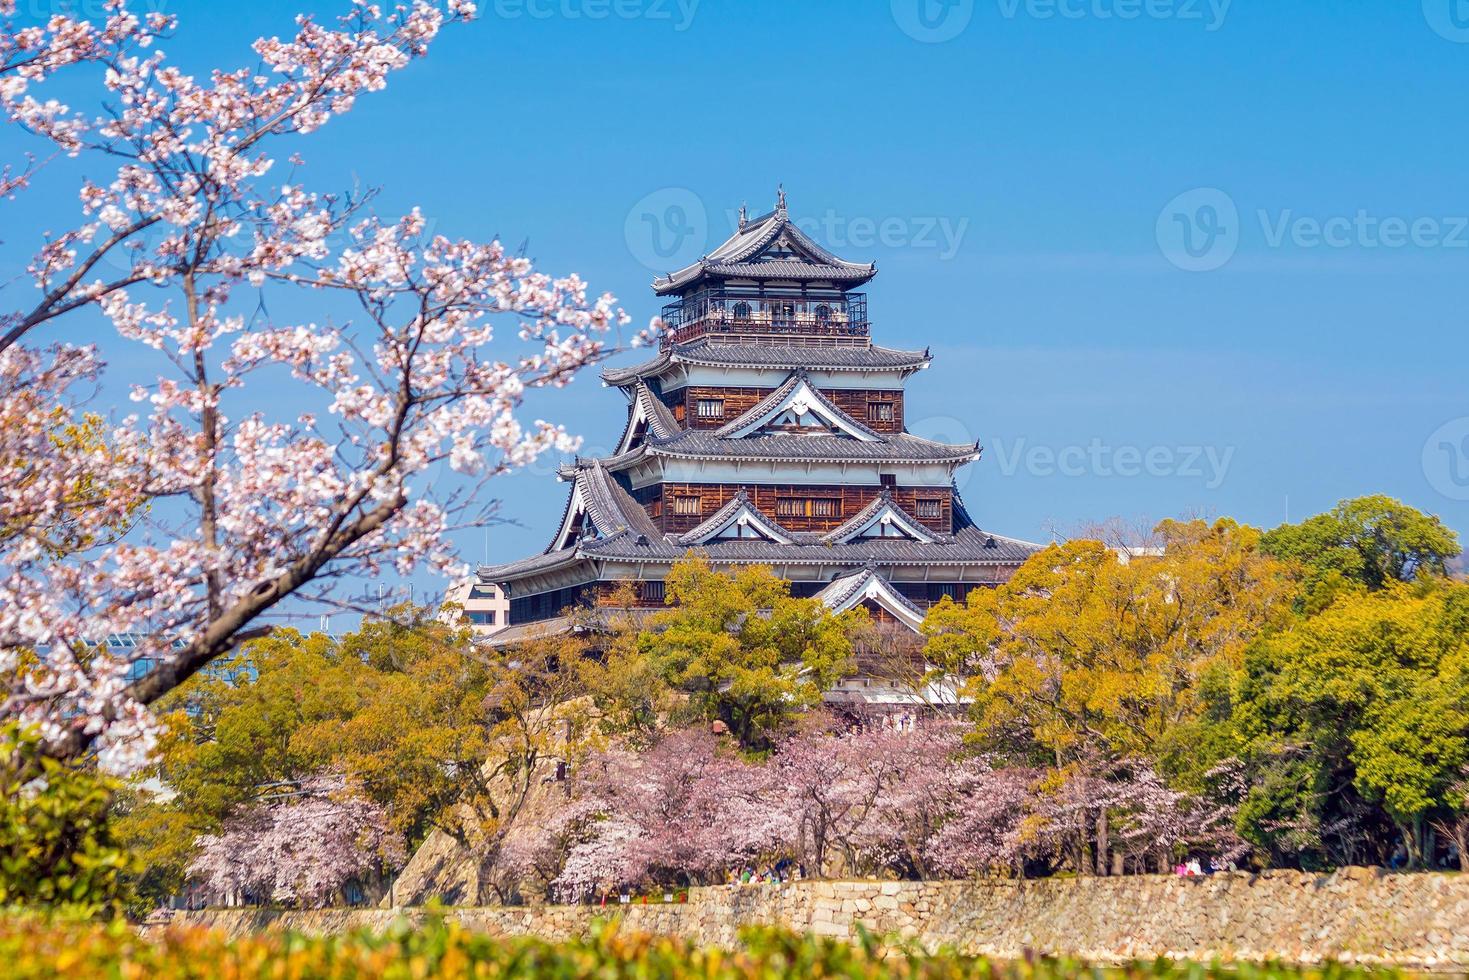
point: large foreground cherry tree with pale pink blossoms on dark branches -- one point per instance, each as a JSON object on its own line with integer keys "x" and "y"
{"x": 270, "y": 458}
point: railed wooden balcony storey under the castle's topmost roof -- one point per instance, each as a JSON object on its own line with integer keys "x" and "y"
{"x": 728, "y": 317}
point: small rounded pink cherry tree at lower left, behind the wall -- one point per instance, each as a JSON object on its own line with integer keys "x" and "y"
{"x": 302, "y": 847}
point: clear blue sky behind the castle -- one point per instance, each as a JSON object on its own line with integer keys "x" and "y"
{"x": 1173, "y": 256}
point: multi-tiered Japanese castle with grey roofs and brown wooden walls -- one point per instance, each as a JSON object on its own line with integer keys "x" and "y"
{"x": 768, "y": 431}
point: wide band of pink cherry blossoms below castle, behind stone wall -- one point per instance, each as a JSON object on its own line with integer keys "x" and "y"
{"x": 856, "y": 801}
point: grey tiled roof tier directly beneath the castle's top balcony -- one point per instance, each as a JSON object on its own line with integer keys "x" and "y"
{"x": 762, "y": 356}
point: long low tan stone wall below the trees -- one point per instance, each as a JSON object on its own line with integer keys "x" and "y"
{"x": 1357, "y": 916}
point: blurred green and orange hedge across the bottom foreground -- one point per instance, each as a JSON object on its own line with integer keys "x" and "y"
{"x": 33, "y": 947}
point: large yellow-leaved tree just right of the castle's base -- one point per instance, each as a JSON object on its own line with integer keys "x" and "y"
{"x": 1091, "y": 656}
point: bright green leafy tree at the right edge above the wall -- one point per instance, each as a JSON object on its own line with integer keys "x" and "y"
{"x": 1371, "y": 699}
